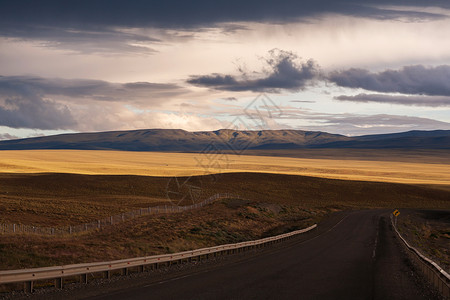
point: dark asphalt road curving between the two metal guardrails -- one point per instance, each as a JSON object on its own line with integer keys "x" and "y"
{"x": 355, "y": 256}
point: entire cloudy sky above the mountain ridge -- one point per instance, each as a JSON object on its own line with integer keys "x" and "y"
{"x": 347, "y": 67}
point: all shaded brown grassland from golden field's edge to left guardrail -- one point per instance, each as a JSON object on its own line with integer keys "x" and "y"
{"x": 271, "y": 204}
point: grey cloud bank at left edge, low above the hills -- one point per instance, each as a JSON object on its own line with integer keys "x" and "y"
{"x": 31, "y": 102}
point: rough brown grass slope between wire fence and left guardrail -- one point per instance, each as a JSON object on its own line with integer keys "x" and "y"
{"x": 228, "y": 221}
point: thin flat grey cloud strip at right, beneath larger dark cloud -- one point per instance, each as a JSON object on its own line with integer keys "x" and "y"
{"x": 431, "y": 101}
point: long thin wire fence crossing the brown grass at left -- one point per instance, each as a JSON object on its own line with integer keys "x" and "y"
{"x": 108, "y": 221}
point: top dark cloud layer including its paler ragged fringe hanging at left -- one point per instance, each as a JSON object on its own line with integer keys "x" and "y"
{"x": 95, "y": 26}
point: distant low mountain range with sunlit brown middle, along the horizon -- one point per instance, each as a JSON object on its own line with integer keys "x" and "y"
{"x": 177, "y": 140}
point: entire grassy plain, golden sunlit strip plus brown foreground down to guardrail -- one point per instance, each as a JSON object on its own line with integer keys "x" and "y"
{"x": 61, "y": 187}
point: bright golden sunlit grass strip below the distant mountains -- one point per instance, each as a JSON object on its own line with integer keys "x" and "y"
{"x": 186, "y": 164}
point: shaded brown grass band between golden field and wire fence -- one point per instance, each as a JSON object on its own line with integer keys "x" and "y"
{"x": 72, "y": 199}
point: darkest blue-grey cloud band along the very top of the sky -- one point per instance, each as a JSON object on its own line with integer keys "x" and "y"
{"x": 199, "y": 13}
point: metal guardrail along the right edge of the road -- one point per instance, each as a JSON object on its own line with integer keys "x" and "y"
{"x": 432, "y": 271}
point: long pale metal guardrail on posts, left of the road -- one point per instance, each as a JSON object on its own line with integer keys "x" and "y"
{"x": 29, "y": 276}
